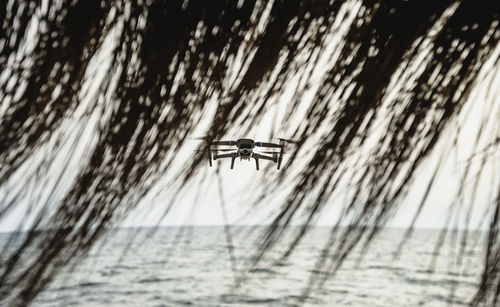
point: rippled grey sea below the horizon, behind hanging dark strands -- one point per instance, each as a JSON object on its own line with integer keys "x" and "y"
{"x": 192, "y": 266}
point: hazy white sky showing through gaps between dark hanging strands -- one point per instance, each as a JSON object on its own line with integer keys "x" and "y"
{"x": 239, "y": 184}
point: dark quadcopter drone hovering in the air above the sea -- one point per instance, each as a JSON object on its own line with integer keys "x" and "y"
{"x": 245, "y": 150}
